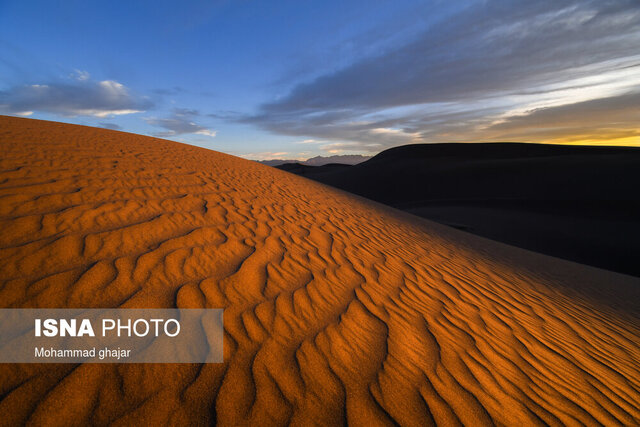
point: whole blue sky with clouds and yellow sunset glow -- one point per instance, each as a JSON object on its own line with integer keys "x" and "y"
{"x": 297, "y": 79}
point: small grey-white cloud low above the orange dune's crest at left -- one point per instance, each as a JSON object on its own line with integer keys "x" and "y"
{"x": 80, "y": 97}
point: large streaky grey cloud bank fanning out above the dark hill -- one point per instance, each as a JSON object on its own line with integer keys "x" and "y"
{"x": 494, "y": 61}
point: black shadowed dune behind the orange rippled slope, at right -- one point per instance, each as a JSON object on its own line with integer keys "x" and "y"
{"x": 580, "y": 203}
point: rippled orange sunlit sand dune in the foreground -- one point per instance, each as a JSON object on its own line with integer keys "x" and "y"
{"x": 336, "y": 309}
